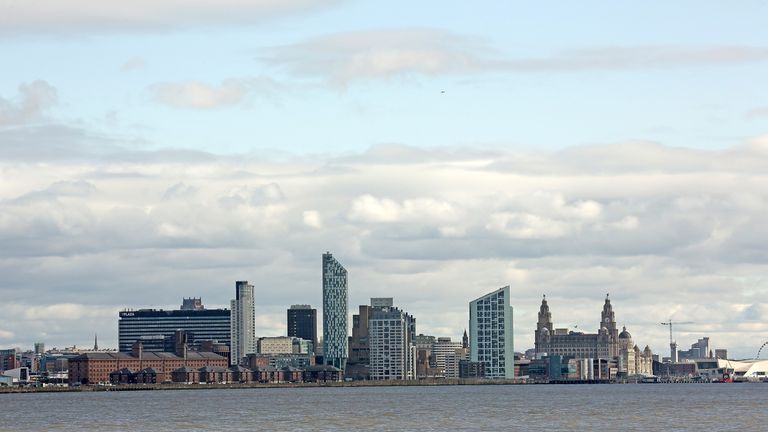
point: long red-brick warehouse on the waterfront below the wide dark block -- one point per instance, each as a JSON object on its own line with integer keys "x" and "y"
{"x": 93, "y": 368}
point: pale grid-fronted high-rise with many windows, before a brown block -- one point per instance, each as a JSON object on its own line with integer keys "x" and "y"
{"x": 391, "y": 335}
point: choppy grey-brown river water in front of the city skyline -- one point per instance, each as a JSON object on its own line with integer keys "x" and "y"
{"x": 652, "y": 407}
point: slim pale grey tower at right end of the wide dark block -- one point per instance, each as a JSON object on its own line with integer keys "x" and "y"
{"x": 243, "y": 321}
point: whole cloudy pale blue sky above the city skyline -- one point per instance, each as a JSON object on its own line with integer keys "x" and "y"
{"x": 151, "y": 151}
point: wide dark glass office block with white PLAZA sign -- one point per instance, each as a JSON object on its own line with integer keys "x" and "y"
{"x": 155, "y": 328}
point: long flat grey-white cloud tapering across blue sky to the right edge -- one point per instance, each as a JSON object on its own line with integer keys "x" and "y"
{"x": 343, "y": 58}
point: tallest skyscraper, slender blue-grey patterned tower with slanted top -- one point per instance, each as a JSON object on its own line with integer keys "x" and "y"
{"x": 335, "y": 304}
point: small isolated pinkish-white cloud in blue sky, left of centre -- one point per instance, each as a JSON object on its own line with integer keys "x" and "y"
{"x": 199, "y": 95}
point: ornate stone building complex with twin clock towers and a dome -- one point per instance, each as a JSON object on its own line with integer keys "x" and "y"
{"x": 607, "y": 343}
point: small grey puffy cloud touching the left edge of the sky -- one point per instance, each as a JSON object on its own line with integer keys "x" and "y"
{"x": 32, "y": 101}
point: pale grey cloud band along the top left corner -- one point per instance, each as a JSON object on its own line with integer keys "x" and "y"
{"x": 88, "y": 16}
